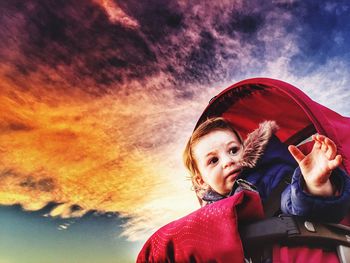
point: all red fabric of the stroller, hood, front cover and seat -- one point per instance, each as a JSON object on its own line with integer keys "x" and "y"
{"x": 211, "y": 233}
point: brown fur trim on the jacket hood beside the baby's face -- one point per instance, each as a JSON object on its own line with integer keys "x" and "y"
{"x": 255, "y": 143}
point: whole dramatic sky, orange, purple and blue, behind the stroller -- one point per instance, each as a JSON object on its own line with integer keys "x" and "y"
{"x": 98, "y": 98}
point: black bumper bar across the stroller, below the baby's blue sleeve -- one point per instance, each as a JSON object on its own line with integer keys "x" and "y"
{"x": 292, "y": 230}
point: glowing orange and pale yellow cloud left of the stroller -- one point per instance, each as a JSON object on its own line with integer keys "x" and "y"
{"x": 112, "y": 153}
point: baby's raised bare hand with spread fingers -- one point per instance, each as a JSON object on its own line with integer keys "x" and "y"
{"x": 317, "y": 166}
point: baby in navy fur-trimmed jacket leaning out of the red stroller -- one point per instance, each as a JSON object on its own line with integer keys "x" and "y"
{"x": 216, "y": 157}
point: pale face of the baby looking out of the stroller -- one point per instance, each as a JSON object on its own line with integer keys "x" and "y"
{"x": 218, "y": 154}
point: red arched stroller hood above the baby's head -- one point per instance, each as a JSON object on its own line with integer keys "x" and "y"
{"x": 249, "y": 102}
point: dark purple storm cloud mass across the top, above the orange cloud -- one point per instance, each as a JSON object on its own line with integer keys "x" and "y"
{"x": 188, "y": 42}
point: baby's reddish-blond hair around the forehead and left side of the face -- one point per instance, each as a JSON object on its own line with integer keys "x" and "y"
{"x": 210, "y": 125}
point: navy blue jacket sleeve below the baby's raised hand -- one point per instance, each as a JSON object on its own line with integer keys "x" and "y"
{"x": 327, "y": 209}
